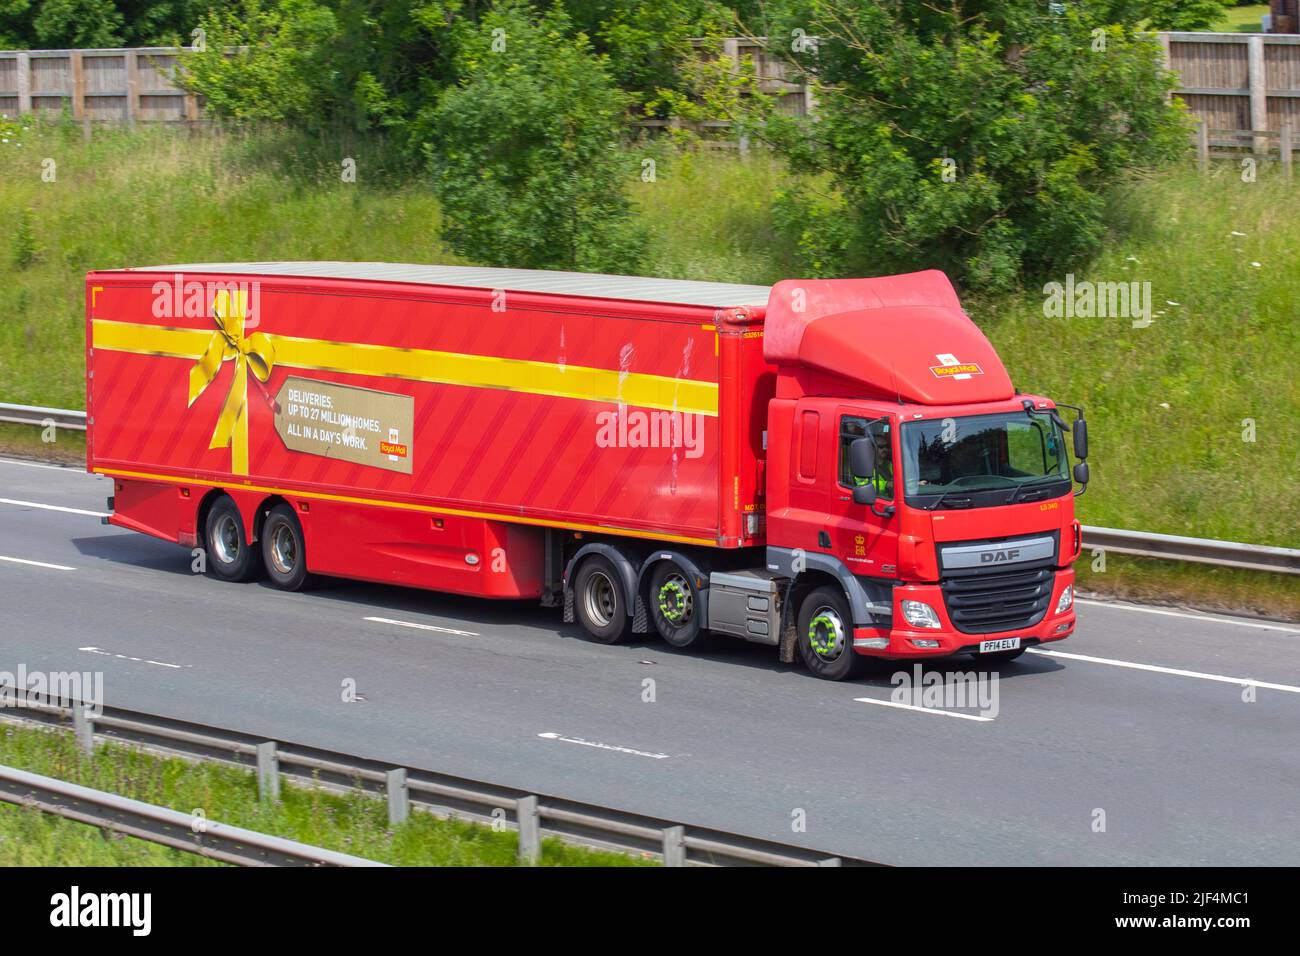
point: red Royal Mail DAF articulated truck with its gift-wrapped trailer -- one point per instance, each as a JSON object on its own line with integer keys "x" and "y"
{"x": 838, "y": 469}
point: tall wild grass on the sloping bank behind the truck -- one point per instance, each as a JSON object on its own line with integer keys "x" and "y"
{"x": 1169, "y": 405}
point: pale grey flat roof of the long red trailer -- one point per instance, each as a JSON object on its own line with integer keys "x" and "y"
{"x": 635, "y": 288}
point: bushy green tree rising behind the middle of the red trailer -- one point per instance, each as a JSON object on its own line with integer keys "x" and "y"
{"x": 525, "y": 148}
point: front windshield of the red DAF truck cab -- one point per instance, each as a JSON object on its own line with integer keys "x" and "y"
{"x": 982, "y": 453}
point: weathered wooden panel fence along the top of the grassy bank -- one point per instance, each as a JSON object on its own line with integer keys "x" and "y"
{"x": 1234, "y": 84}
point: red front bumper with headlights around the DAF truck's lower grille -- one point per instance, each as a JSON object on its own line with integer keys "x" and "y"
{"x": 902, "y": 643}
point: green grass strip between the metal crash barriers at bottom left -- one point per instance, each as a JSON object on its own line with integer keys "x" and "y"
{"x": 354, "y": 824}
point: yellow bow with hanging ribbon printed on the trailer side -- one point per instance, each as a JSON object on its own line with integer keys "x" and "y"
{"x": 229, "y": 343}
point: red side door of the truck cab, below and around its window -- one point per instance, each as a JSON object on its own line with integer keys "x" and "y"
{"x": 863, "y": 537}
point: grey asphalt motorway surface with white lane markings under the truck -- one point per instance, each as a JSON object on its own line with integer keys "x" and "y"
{"x": 1184, "y": 769}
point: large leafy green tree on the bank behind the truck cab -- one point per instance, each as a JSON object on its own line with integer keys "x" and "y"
{"x": 976, "y": 137}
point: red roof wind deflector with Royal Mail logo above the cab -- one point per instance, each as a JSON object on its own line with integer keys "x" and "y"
{"x": 903, "y": 336}
